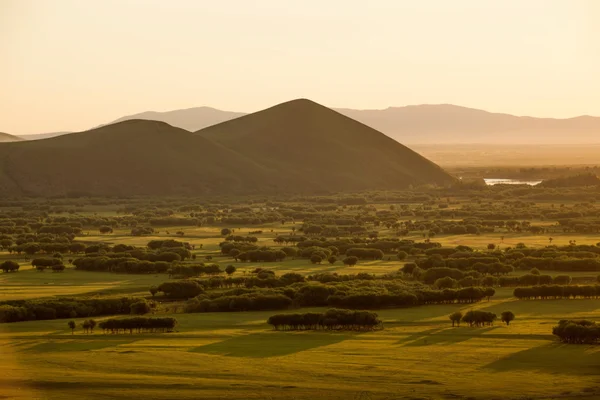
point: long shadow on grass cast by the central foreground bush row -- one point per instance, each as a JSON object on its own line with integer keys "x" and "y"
{"x": 272, "y": 344}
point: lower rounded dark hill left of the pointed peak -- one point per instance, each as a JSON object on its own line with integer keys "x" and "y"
{"x": 129, "y": 158}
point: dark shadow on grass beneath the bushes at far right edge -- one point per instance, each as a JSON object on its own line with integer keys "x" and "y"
{"x": 558, "y": 358}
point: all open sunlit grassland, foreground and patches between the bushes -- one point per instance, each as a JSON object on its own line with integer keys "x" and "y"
{"x": 237, "y": 355}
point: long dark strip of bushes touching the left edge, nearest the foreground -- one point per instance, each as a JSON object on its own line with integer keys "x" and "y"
{"x": 40, "y": 309}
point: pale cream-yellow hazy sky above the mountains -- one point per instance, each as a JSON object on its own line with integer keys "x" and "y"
{"x": 74, "y": 64}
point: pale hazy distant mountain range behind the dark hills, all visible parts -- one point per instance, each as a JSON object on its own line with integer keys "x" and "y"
{"x": 422, "y": 124}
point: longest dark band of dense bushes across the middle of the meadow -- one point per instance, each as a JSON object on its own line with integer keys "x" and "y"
{"x": 291, "y": 291}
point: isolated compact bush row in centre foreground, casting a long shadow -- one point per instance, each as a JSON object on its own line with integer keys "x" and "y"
{"x": 332, "y": 319}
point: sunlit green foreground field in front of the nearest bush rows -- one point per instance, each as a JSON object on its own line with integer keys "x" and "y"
{"x": 238, "y": 356}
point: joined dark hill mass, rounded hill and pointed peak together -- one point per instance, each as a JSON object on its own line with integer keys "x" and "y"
{"x": 295, "y": 147}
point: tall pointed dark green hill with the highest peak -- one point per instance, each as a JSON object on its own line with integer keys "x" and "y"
{"x": 309, "y": 143}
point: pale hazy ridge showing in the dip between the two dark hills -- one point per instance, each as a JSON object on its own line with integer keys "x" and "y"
{"x": 190, "y": 119}
